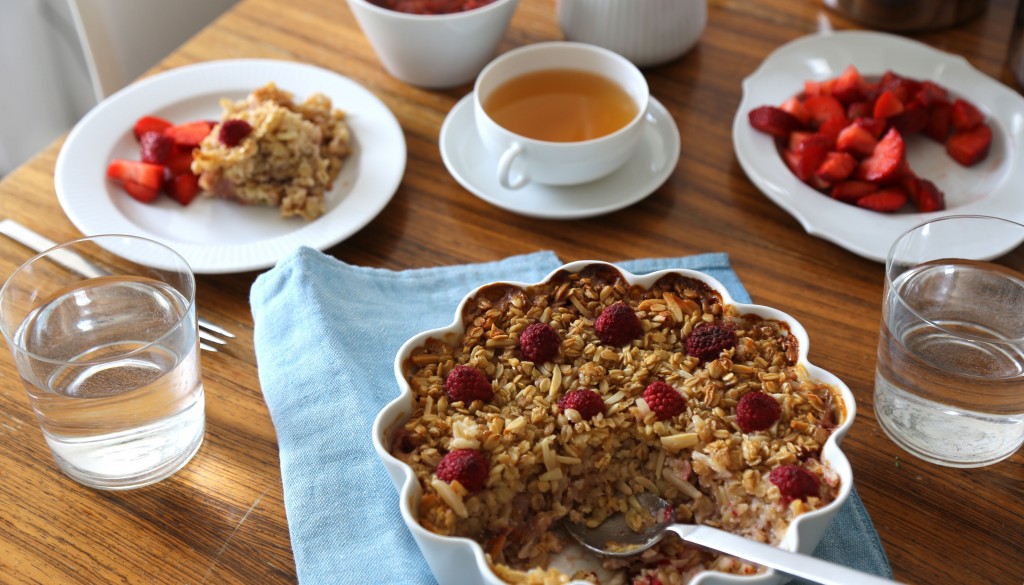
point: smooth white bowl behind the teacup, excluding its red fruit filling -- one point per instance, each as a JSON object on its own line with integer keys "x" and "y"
{"x": 435, "y": 51}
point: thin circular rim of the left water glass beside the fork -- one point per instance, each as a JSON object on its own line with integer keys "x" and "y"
{"x": 190, "y": 305}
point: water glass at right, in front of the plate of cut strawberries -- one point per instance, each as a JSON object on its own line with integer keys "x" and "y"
{"x": 950, "y": 383}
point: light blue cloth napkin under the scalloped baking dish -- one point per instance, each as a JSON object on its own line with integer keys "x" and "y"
{"x": 326, "y": 337}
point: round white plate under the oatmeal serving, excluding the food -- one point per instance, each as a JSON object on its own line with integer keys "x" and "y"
{"x": 218, "y": 236}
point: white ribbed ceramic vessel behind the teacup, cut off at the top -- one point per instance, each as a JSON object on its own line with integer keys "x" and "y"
{"x": 647, "y": 32}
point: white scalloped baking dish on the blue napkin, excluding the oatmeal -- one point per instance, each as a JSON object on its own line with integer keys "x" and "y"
{"x": 462, "y": 561}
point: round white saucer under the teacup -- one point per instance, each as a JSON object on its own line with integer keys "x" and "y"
{"x": 477, "y": 170}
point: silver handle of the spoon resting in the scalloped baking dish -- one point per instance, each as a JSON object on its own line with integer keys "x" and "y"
{"x": 802, "y": 566}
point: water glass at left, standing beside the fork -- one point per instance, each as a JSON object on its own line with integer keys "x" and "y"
{"x": 104, "y": 333}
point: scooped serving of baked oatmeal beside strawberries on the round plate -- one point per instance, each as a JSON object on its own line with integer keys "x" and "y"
{"x": 269, "y": 150}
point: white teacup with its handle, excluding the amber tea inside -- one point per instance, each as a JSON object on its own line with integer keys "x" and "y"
{"x": 522, "y": 159}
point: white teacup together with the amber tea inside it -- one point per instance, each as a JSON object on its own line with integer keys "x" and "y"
{"x": 560, "y": 113}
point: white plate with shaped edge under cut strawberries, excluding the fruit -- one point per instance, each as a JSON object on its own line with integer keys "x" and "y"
{"x": 992, "y": 188}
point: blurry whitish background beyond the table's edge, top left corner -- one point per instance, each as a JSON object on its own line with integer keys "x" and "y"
{"x": 46, "y": 82}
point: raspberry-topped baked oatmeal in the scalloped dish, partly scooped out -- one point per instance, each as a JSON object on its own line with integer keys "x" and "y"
{"x": 666, "y": 390}
